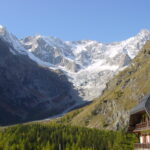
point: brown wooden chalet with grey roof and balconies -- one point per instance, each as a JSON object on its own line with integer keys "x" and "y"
{"x": 139, "y": 123}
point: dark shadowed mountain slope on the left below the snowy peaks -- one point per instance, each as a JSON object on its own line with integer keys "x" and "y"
{"x": 29, "y": 91}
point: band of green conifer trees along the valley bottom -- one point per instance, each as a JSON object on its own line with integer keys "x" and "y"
{"x": 63, "y": 137}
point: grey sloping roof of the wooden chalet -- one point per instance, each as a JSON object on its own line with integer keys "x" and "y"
{"x": 144, "y": 105}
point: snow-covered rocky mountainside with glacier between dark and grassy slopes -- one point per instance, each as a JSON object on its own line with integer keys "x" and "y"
{"x": 88, "y": 64}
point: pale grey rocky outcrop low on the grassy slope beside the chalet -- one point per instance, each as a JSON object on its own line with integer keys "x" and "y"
{"x": 117, "y": 119}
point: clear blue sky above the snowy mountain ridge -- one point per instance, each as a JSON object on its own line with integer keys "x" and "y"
{"x": 101, "y": 20}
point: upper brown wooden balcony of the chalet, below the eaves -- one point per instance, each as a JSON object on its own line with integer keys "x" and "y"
{"x": 142, "y": 126}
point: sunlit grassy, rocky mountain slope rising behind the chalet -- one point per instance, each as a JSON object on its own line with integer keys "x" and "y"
{"x": 124, "y": 91}
